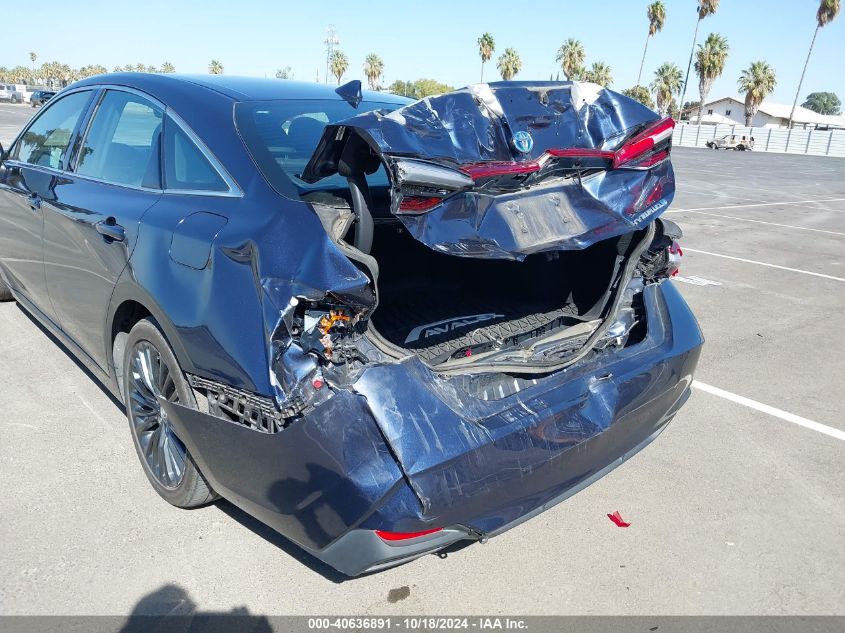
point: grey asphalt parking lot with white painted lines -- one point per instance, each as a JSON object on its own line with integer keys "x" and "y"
{"x": 737, "y": 508}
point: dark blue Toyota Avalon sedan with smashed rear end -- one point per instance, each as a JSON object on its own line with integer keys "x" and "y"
{"x": 379, "y": 326}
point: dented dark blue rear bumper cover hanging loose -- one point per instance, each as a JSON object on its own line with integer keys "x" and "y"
{"x": 406, "y": 451}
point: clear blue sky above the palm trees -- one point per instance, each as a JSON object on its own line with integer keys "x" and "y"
{"x": 423, "y": 38}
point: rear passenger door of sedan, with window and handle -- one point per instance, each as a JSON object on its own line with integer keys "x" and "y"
{"x": 91, "y": 231}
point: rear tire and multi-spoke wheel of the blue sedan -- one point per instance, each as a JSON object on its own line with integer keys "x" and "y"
{"x": 150, "y": 369}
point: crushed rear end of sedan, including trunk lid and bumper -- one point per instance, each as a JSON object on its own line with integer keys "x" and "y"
{"x": 495, "y": 332}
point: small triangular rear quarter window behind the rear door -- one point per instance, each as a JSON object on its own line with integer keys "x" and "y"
{"x": 185, "y": 166}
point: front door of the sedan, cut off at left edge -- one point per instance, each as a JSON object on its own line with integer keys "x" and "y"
{"x": 30, "y": 184}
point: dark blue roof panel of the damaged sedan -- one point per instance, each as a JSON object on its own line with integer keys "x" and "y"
{"x": 233, "y": 87}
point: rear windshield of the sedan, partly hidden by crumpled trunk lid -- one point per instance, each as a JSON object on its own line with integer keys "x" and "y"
{"x": 281, "y": 136}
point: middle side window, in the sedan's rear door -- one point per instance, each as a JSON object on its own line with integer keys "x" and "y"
{"x": 123, "y": 142}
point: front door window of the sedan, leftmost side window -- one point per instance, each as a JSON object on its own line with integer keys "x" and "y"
{"x": 47, "y": 138}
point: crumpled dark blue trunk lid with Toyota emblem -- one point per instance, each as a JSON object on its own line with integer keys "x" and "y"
{"x": 578, "y": 201}
